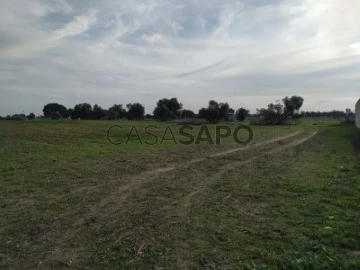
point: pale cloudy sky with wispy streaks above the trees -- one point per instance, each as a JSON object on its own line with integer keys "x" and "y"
{"x": 248, "y": 53}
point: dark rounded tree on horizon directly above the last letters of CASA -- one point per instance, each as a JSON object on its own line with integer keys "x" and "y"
{"x": 167, "y": 109}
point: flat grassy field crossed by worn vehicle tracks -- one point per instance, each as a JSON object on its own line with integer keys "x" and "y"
{"x": 69, "y": 199}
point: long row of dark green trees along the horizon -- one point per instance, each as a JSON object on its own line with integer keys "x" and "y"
{"x": 278, "y": 113}
